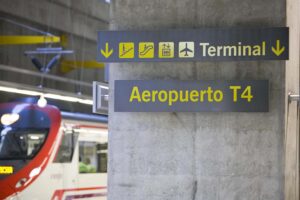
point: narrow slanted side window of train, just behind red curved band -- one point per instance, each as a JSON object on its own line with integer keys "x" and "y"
{"x": 66, "y": 148}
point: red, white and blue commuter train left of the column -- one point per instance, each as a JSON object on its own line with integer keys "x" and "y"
{"x": 46, "y": 153}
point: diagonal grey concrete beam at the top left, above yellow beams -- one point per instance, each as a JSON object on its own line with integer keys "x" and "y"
{"x": 55, "y": 16}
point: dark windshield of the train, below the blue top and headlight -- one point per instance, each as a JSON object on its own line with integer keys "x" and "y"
{"x": 17, "y": 143}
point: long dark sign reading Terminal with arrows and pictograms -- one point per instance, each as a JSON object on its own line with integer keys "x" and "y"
{"x": 206, "y": 44}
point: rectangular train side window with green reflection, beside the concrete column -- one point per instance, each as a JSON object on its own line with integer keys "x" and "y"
{"x": 92, "y": 157}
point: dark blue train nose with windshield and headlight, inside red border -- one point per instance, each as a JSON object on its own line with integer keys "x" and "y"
{"x": 23, "y": 131}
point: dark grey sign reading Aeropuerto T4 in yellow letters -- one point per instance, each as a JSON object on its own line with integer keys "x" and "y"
{"x": 191, "y": 96}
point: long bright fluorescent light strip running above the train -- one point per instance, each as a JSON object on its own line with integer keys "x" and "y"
{"x": 46, "y": 95}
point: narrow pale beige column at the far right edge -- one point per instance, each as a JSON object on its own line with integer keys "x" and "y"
{"x": 292, "y": 108}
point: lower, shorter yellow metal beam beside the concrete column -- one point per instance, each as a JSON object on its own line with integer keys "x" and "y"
{"x": 69, "y": 65}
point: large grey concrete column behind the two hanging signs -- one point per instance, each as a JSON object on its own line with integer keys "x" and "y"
{"x": 197, "y": 156}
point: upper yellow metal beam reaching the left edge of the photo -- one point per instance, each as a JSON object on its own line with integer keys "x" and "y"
{"x": 27, "y": 39}
